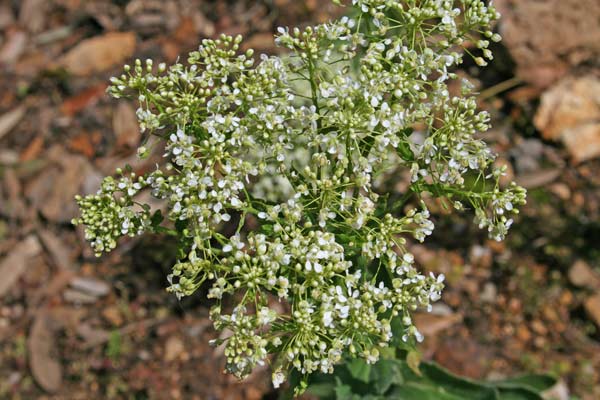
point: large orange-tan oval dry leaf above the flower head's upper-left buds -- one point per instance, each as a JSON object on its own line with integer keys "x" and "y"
{"x": 99, "y": 53}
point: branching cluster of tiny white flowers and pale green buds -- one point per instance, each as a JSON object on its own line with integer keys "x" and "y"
{"x": 299, "y": 145}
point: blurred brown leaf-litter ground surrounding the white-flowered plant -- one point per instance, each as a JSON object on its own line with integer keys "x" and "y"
{"x": 76, "y": 327}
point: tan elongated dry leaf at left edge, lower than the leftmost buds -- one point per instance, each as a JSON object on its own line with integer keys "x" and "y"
{"x": 15, "y": 264}
